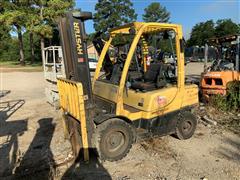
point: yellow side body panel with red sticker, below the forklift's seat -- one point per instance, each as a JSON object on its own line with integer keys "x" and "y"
{"x": 175, "y": 100}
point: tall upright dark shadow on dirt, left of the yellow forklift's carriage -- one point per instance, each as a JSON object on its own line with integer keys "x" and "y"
{"x": 38, "y": 162}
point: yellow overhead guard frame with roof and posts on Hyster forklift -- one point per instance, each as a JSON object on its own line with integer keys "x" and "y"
{"x": 138, "y": 29}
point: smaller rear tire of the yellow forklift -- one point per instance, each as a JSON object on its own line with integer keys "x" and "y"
{"x": 186, "y": 125}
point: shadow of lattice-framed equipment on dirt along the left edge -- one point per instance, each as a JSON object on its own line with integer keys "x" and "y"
{"x": 9, "y": 133}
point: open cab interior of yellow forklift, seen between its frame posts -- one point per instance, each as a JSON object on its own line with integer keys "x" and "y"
{"x": 153, "y": 64}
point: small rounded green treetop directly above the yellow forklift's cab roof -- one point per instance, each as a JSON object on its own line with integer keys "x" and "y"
{"x": 156, "y": 13}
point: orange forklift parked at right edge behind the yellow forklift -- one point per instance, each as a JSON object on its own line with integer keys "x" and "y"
{"x": 224, "y": 69}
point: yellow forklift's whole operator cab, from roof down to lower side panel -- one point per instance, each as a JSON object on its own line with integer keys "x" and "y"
{"x": 134, "y": 77}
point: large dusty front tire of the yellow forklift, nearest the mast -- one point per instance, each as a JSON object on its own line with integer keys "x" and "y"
{"x": 113, "y": 139}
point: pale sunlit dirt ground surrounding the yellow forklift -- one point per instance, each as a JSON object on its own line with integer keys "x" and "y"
{"x": 32, "y": 144}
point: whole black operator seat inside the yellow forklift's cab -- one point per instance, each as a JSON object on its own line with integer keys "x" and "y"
{"x": 152, "y": 79}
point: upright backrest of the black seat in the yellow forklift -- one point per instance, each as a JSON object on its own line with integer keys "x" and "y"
{"x": 152, "y": 72}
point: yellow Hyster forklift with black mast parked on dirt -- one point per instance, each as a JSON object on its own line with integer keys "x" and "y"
{"x": 126, "y": 100}
